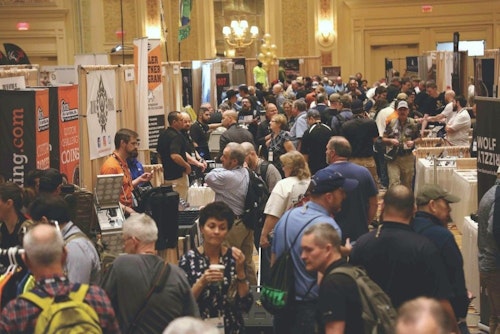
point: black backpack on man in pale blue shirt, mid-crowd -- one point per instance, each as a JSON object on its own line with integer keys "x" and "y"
{"x": 255, "y": 201}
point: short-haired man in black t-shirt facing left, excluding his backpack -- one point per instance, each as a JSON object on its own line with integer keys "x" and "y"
{"x": 339, "y": 303}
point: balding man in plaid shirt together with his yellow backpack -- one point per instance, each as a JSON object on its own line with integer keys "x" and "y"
{"x": 89, "y": 310}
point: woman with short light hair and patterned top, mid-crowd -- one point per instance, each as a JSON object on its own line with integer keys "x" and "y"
{"x": 280, "y": 141}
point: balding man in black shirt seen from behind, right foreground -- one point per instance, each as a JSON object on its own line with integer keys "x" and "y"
{"x": 405, "y": 264}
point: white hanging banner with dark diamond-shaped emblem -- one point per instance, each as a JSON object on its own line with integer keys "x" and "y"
{"x": 101, "y": 112}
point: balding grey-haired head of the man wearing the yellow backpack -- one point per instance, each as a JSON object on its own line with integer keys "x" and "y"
{"x": 43, "y": 245}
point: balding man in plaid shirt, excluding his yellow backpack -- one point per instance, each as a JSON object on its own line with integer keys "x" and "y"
{"x": 45, "y": 256}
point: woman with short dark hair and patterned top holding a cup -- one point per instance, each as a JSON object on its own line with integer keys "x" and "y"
{"x": 217, "y": 273}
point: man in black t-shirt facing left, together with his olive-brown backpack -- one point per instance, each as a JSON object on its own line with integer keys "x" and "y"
{"x": 349, "y": 301}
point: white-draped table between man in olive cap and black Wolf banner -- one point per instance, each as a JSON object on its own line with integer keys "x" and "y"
{"x": 464, "y": 185}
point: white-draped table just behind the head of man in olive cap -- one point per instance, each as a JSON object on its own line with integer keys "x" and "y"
{"x": 424, "y": 173}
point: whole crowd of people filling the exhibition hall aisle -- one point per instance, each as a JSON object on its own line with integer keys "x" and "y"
{"x": 325, "y": 149}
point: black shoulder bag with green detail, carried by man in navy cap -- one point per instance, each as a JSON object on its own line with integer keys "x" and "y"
{"x": 277, "y": 296}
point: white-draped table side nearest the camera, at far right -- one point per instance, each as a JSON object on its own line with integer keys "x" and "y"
{"x": 471, "y": 266}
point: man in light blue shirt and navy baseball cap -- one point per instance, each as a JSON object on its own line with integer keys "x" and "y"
{"x": 328, "y": 190}
